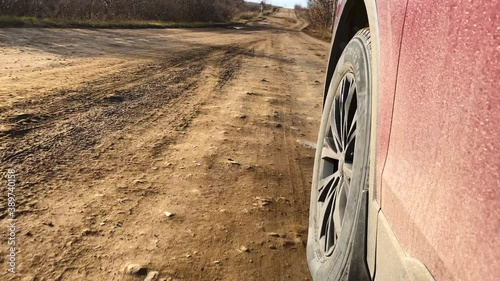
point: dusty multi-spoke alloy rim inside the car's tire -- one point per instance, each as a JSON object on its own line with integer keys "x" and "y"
{"x": 336, "y": 164}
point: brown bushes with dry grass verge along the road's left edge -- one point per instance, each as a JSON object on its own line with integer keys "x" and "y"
{"x": 125, "y": 13}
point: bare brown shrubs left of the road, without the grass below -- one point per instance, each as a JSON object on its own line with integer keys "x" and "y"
{"x": 163, "y": 10}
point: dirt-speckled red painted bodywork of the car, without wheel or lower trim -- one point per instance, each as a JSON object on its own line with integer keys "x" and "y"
{"x": 438, "y": 131}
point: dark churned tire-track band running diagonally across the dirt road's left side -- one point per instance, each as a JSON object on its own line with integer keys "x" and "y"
{"x": 46, "y": 135}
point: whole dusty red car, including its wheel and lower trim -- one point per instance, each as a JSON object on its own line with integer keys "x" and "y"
{"x": 407, "y": 171}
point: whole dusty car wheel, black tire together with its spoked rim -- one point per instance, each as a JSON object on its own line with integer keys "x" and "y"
{"x": 337, "y": 238}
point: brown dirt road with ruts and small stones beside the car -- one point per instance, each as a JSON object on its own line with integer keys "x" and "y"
{"x": 110, "y": 129}
